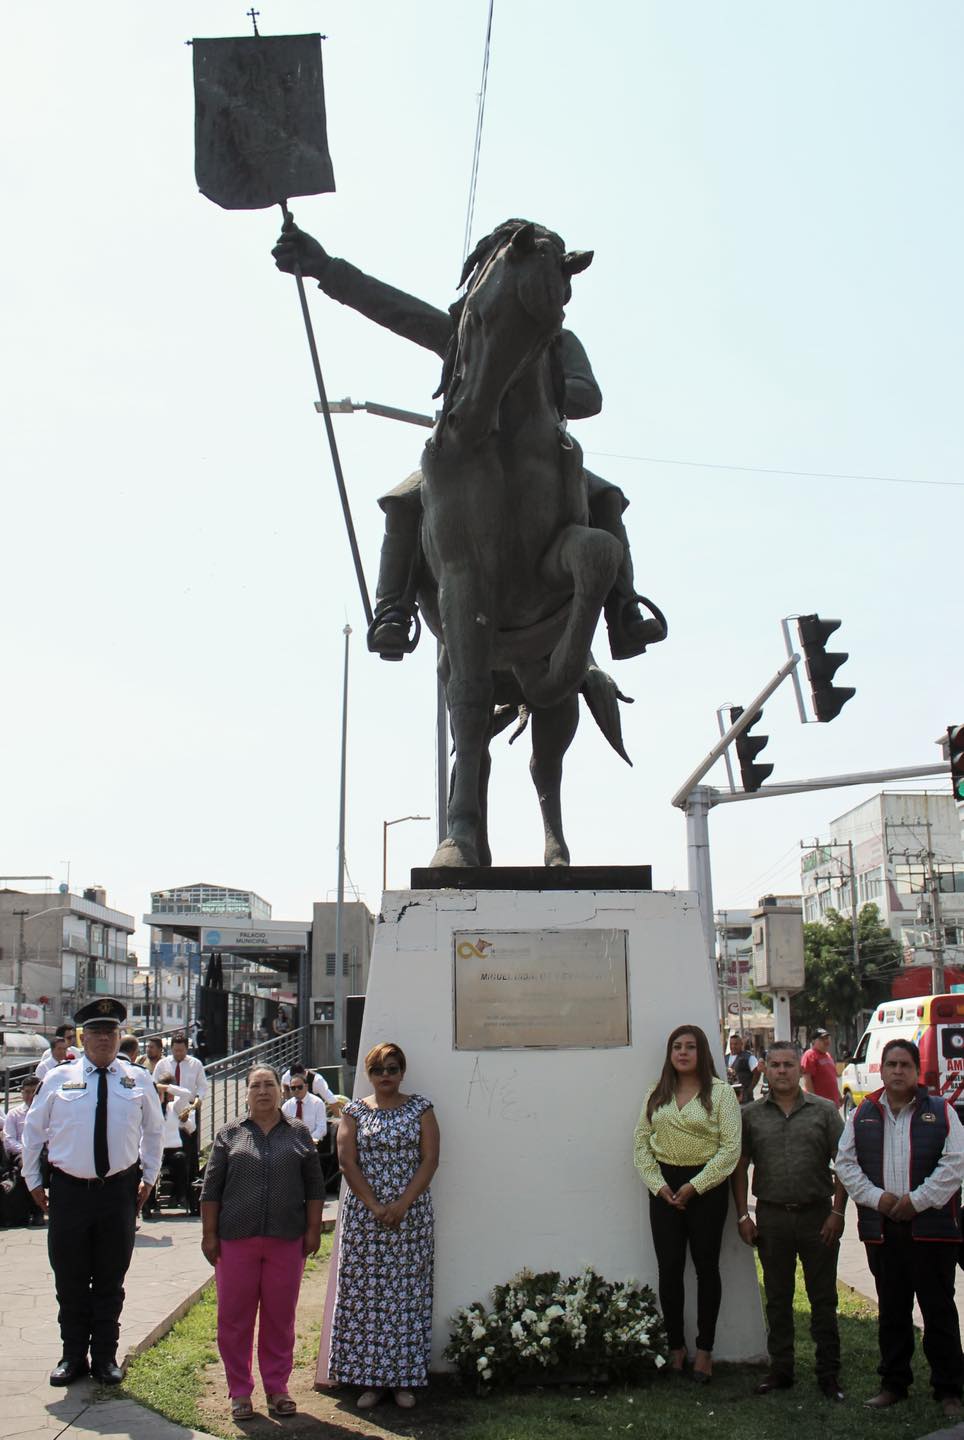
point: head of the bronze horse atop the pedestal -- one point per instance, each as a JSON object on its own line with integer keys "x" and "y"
{"x": 512, "y": 310}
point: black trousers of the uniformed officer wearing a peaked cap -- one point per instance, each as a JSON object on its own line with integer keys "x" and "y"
{"x": 90, "y": 1243}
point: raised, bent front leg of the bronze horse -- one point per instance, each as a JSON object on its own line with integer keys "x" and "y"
{"x": 589, "y": 561}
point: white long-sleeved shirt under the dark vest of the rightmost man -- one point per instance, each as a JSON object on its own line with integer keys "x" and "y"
{"x": 939, "y": 1187}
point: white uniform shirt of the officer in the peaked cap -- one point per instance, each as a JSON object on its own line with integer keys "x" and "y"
{"x": 63, "y": 1118}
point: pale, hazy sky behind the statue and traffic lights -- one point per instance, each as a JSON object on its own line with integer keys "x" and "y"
{"x": 773, "y": 197}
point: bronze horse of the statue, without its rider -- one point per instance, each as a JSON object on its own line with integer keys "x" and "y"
{"x": 515, "y": 574}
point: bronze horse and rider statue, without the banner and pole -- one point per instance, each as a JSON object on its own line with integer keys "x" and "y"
{"x": 502, "y": 539}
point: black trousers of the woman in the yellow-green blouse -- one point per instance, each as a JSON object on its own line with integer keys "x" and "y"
{"x": 701, "y": 1228}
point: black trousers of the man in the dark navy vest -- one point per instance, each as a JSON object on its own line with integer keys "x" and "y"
{"x": 904, "y": 1268}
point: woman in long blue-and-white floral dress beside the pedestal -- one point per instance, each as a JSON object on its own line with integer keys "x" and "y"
{"x": 383, "y": 1324}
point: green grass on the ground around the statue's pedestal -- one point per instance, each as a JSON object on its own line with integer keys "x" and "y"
{"x": 169, "y": 1380}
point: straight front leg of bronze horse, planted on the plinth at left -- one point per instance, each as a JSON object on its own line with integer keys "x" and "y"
{"x": 466, "y": 616}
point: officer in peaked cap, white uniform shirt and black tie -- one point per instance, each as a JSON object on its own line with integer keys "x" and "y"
{"x": 102, "y": 1122}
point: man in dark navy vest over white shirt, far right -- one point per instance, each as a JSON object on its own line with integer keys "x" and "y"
{"x": 901, "y": 1160}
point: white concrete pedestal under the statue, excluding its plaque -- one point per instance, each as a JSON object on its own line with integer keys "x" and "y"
{"x": 537, "y": 1160}
